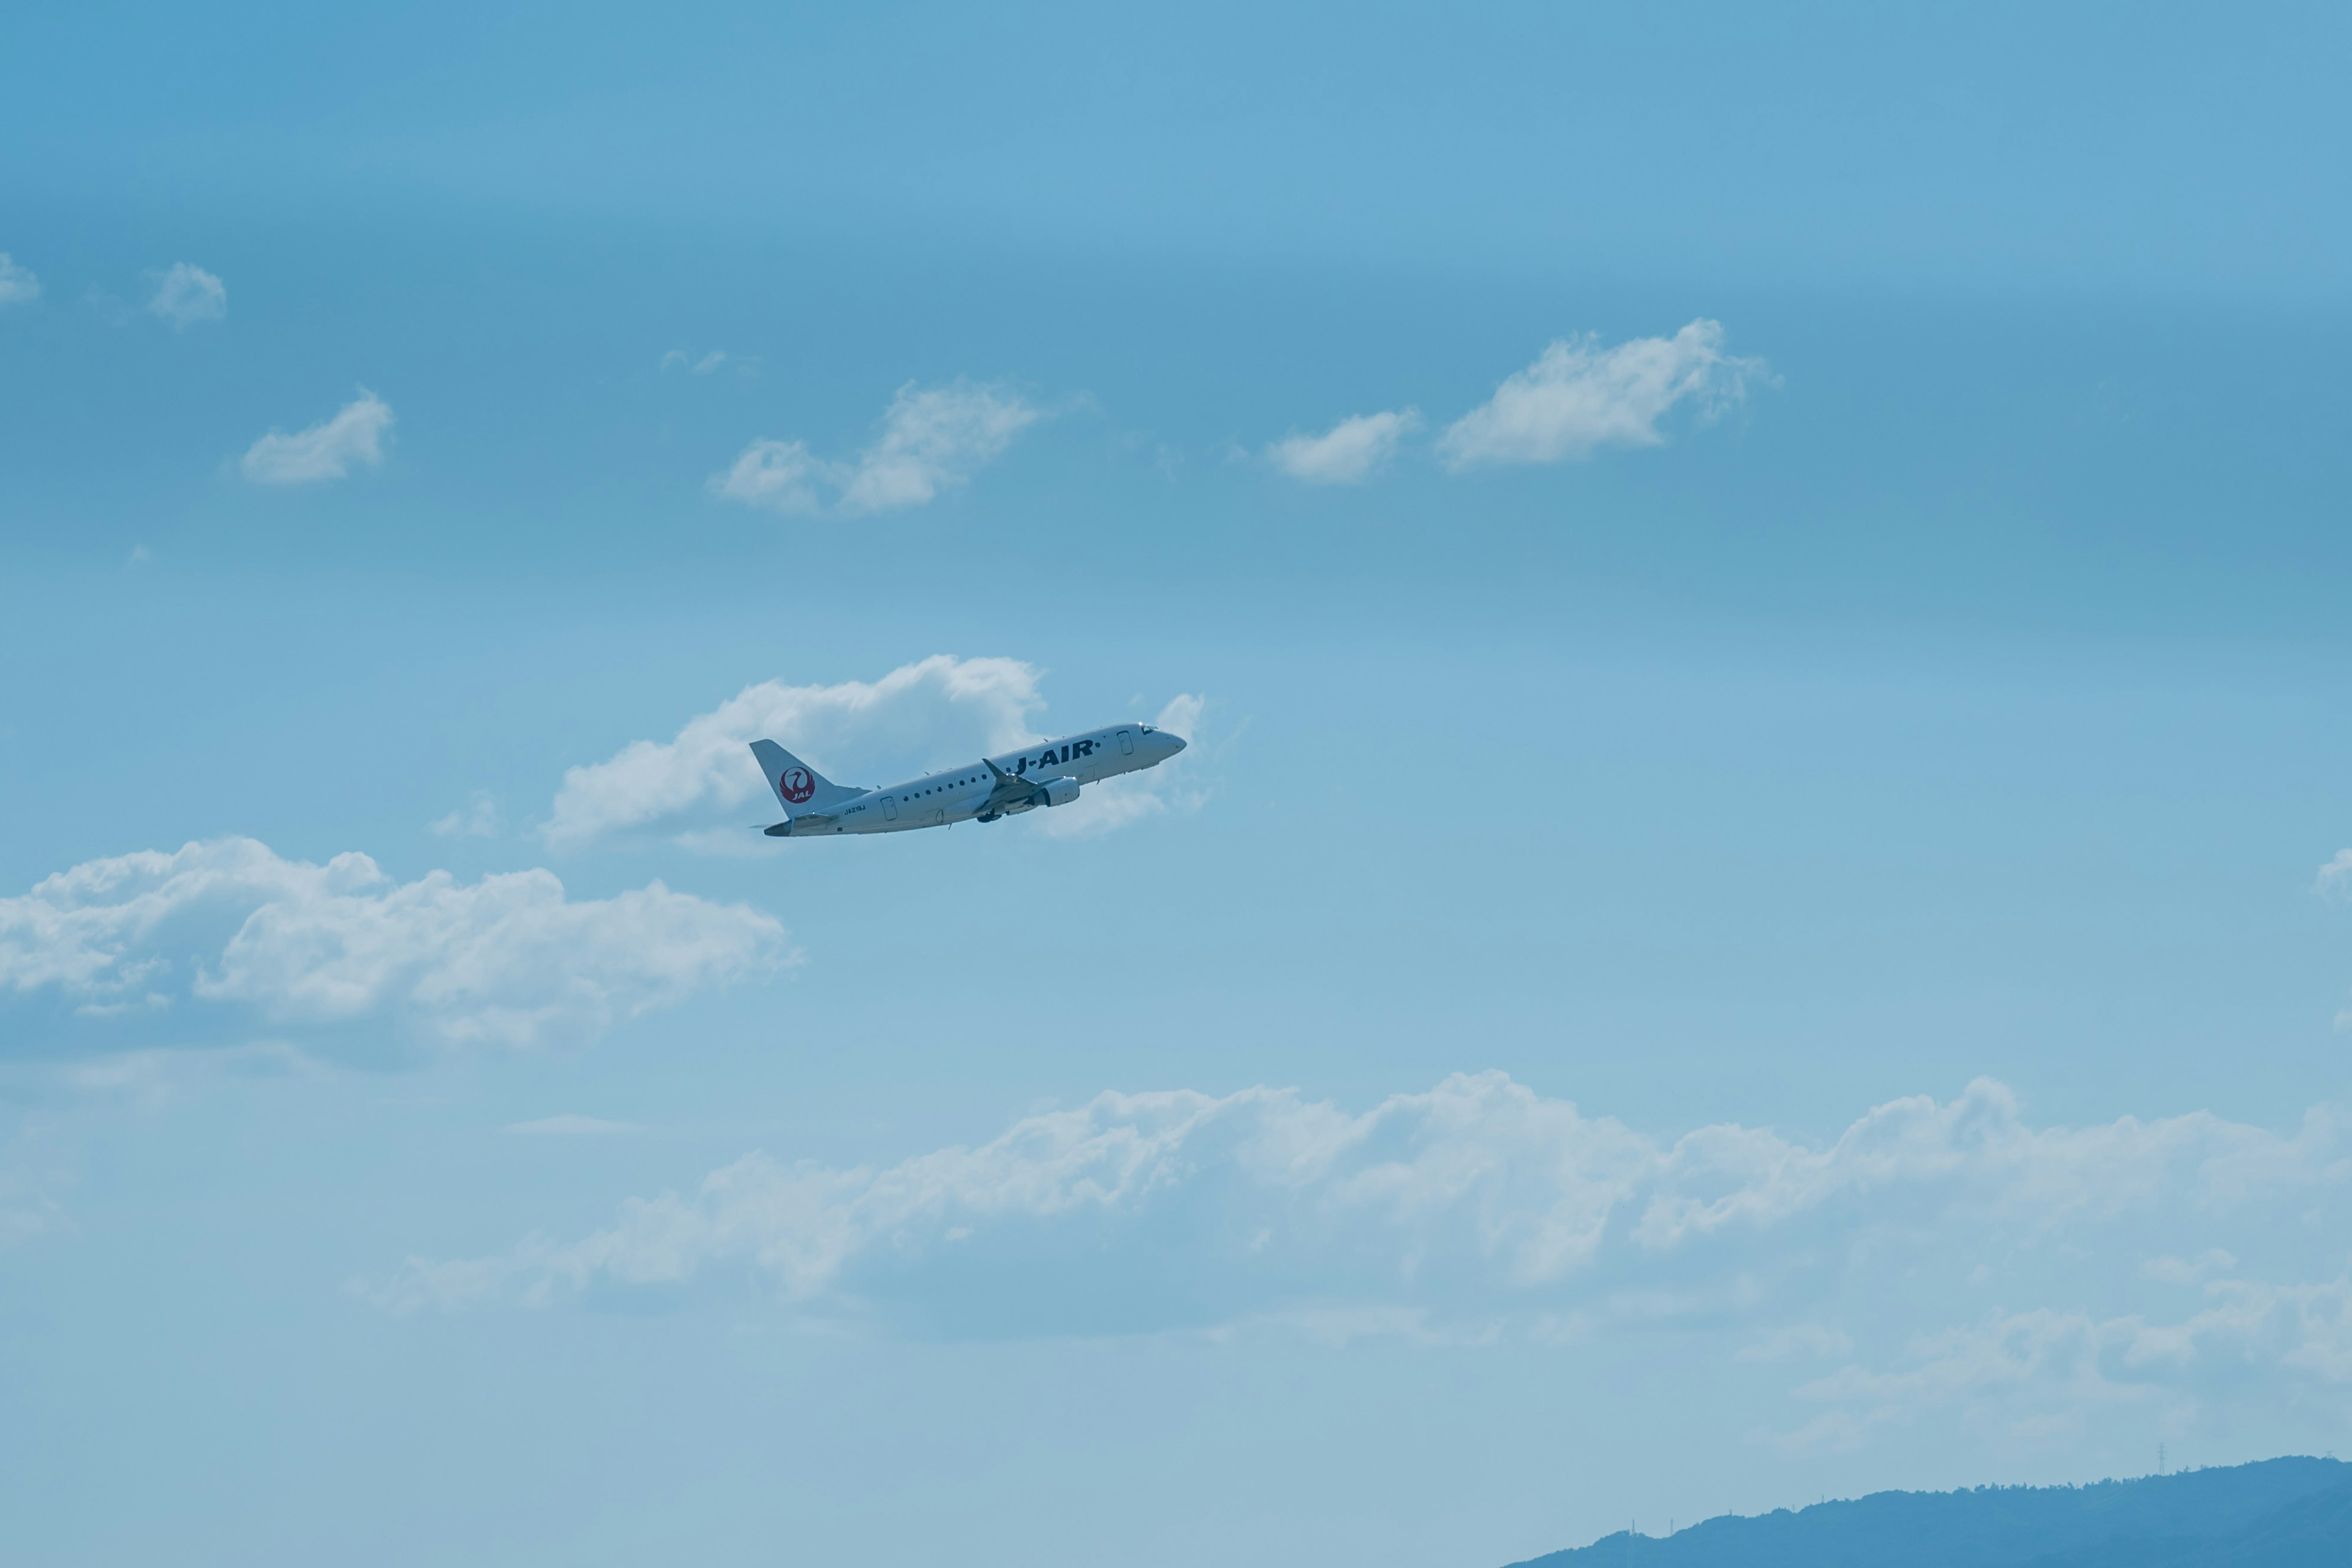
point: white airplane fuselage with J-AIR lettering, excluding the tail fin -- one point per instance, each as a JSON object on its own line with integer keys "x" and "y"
{"x": 1036, "y": 777}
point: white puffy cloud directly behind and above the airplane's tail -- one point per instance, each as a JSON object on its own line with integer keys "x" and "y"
{"x": 909, "y": 721}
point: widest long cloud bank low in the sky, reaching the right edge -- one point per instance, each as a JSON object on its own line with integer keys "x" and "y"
{"x": 1880, "y": 1273}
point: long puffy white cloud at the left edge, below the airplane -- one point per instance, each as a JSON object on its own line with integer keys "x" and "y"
{"x": 507, "y": 960}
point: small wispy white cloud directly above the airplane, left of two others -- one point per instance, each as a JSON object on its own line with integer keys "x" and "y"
{"x": 933, "y": 441}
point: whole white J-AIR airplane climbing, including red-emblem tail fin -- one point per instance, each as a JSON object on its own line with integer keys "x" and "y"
{"x": 975, "y": 793}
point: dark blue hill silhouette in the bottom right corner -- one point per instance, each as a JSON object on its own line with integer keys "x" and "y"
{"x": 2271, "y": 1515}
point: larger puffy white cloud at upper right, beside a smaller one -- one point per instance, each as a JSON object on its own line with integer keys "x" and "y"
{"x": 1579, "y": 396}
